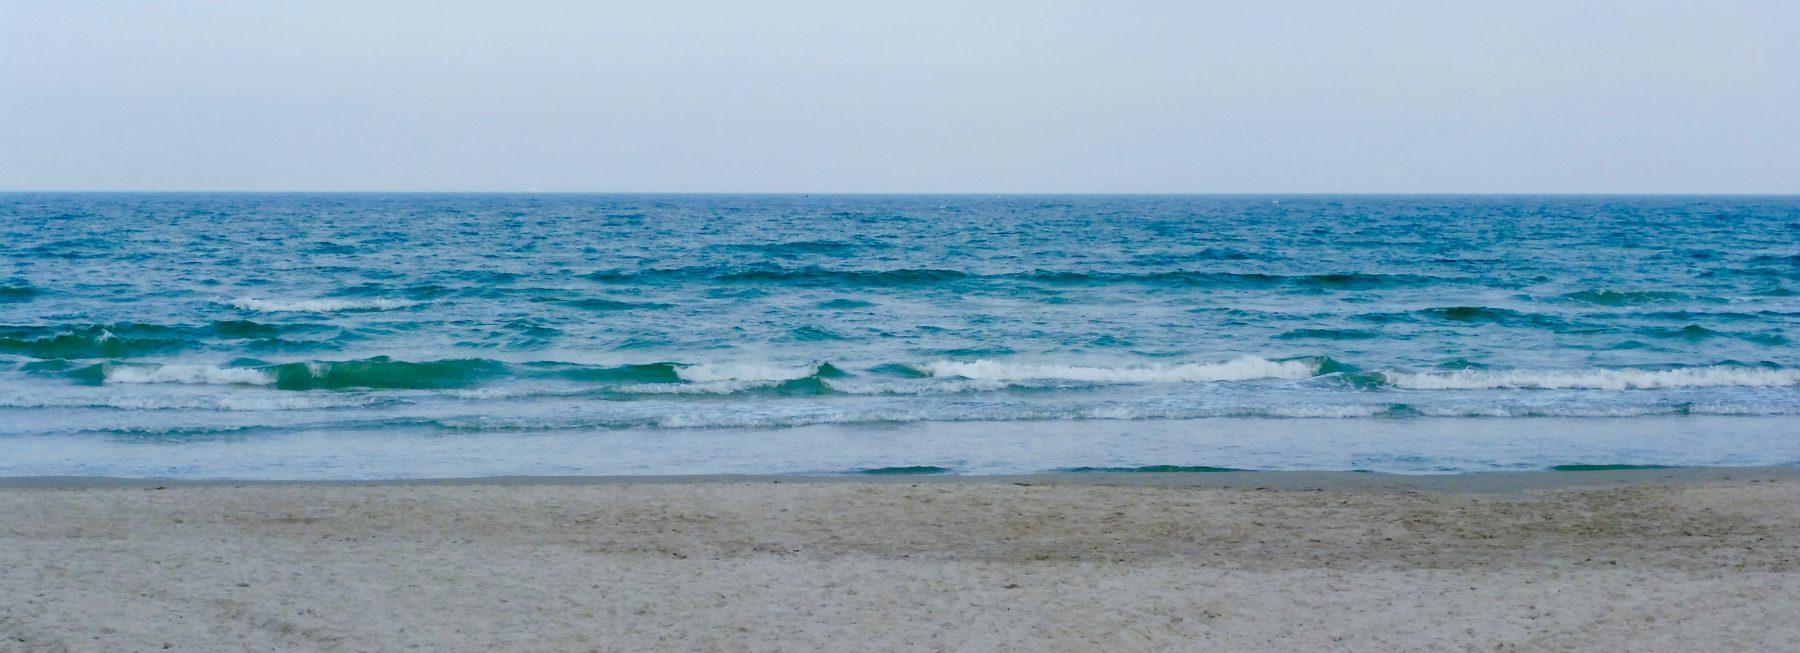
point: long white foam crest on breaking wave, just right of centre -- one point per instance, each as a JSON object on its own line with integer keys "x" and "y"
{"x": 1243, "y": 370}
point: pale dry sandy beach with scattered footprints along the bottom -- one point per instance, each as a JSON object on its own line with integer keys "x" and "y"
{"x": 1668, "y": 562}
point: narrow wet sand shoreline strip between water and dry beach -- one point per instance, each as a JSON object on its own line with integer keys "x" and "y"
{"x": 1482, "y": 483}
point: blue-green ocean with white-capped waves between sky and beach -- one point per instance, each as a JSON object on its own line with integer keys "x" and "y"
{"x": 467, "y": 335}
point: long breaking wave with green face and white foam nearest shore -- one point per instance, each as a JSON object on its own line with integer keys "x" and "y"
{"x": 481, "y": 379}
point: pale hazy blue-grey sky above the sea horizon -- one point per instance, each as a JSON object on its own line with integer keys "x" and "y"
{"x": 1633, "y": 96}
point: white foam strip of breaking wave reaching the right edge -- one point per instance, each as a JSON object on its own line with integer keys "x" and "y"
{"x": 1597, "y": 379}
